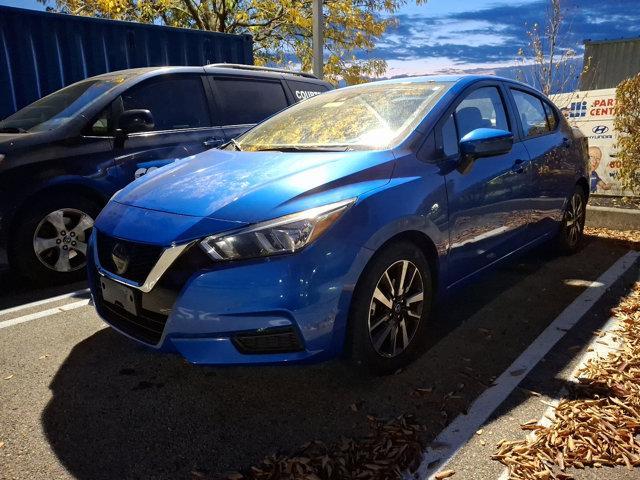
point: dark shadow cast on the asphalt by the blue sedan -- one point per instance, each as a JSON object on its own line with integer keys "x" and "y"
{"x": 119, "y": 410}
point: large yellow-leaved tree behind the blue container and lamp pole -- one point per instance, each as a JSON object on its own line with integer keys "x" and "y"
{"x": 281, "y": 29}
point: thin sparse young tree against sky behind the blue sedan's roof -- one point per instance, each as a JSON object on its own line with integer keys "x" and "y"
{"x": 547, "y": 63}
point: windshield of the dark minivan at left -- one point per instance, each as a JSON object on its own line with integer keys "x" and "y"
{"x": 56, "y": 109}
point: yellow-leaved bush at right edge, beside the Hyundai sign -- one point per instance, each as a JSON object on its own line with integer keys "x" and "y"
{"x": 627, "y": 126}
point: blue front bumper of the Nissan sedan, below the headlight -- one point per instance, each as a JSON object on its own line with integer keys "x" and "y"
{"x": 284, "y": 309}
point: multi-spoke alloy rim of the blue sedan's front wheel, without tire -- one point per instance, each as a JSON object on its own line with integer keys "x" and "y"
{"x": 395, "y": 309}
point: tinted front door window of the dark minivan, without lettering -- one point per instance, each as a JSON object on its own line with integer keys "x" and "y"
{"x": 175, "y": 102}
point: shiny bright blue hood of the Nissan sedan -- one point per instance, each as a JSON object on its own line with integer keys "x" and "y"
{"x": 252, "y": 186}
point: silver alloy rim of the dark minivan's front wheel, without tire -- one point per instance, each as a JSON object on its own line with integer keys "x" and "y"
{"x": 60, "y": 239}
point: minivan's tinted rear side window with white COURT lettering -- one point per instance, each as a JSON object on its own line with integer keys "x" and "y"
{"x": 248, "y": 101}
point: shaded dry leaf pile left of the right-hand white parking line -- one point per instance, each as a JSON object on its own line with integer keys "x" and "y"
{"x": 389, "y": 450}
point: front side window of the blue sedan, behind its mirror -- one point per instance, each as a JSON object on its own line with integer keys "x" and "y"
{"x": 482, "y": 108}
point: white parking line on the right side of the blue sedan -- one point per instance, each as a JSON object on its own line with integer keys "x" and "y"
{"x": 451, "y": 439}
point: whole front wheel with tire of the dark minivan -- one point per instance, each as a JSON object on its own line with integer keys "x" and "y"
{"x": 48, "y": 238}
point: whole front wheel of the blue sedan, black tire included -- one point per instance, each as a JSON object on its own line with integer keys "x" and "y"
{"x": 388, "y": 325}
